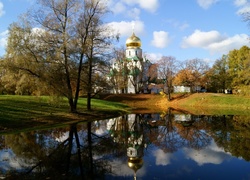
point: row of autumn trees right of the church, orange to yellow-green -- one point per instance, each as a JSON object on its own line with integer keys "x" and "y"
{"x": 231, "y": 71}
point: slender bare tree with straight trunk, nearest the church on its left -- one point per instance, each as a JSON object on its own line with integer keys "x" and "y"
{"x": 96, "y": 41}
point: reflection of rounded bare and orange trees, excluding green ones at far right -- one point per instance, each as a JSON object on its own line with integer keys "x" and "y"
{"x": 171, "y": 135}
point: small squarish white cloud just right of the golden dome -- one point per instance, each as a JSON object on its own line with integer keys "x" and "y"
{"x": 161, "y": 39}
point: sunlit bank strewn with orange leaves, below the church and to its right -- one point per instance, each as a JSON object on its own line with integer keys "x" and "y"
{"x": 198, "y": 103}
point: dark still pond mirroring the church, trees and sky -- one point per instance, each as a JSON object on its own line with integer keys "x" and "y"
{"x": 168, "y": 145}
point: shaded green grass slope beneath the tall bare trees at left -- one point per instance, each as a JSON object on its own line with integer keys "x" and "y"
{"x": 25, "y": 112}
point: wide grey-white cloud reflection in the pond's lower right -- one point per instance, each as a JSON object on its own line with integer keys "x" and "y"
{"x": 211, "y": 154}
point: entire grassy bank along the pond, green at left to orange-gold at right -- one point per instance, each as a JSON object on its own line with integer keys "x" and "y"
{"x": 27, "y": 112}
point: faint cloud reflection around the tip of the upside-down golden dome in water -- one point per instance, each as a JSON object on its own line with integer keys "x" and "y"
{"x": 120, "y": 168}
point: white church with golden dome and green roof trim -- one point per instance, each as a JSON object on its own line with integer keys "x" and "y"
{"x": 130, "y": 75}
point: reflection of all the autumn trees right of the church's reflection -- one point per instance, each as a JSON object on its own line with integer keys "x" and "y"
{"x": 232, "y": 133}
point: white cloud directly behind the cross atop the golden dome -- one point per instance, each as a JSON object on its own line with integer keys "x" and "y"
{"x": 125, "y": 27}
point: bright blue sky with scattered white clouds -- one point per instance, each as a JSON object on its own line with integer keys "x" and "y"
{"x": 184, "y": 29}
